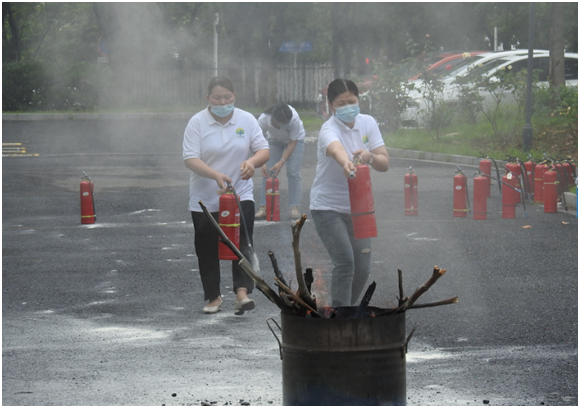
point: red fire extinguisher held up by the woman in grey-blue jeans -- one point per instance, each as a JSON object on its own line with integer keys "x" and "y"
{"x": 362, "y": 205}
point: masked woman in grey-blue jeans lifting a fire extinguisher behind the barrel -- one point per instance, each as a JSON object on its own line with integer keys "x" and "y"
{"x": 346, "y": 134}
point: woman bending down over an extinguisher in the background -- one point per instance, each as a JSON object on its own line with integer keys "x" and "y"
{"x": 285, "y": 133}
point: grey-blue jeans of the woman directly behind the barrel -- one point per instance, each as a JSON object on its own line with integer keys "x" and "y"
{"x": 351, "y": 257}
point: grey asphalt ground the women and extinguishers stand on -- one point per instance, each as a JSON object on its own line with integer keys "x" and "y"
{"x": 110, "y": 313}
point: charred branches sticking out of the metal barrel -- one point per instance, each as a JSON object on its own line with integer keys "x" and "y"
{"x": 303, "y": 302}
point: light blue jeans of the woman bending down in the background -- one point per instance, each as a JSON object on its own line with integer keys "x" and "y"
{"x": 292, "y": 171}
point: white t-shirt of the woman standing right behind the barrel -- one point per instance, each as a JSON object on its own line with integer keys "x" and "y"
{"x": 330, "y": 187}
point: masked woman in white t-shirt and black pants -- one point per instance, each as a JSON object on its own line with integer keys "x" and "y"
{"x": 222, "y": 144}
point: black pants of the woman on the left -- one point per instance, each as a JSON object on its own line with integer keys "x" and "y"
{"x": 206, "y": 249}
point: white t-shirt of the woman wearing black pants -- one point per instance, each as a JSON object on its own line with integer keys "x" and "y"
{"x": 223, "y": 148}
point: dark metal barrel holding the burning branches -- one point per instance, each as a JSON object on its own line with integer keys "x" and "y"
{"x": 344, "y": 361}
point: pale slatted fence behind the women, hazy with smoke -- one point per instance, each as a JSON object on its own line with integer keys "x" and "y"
{"x": 188, "y": 86}
